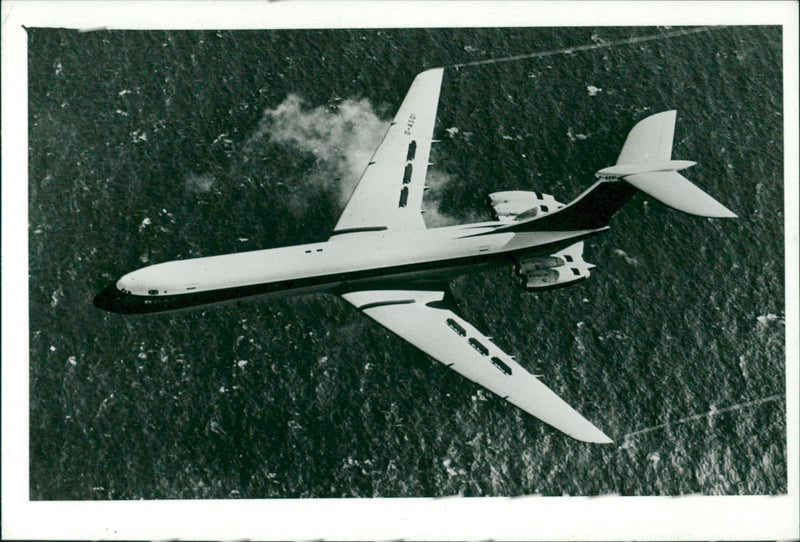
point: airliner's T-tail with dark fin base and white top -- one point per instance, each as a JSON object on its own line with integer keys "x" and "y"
{"x": 645, "y": 164}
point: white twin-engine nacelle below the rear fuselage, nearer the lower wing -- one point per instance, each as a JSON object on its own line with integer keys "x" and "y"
{"x": 555, "y": 271}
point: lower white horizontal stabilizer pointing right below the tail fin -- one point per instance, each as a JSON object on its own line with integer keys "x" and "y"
{"x": 677, "y": 191}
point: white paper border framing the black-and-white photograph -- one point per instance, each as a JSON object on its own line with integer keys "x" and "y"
{"x": 528, "y": 518}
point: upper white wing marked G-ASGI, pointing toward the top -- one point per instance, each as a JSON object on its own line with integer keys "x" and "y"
{"x": 389, "y": 193}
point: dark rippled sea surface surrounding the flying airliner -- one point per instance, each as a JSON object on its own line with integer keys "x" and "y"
{"x": 149, "y": 146}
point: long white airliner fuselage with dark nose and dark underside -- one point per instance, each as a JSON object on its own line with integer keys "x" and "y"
{"x": 345, "y": 260}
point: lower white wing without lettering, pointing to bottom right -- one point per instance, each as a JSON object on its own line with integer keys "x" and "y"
{"x": 423, "y": 318}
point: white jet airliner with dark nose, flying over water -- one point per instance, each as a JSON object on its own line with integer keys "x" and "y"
{"x": 383, "y": 260}
